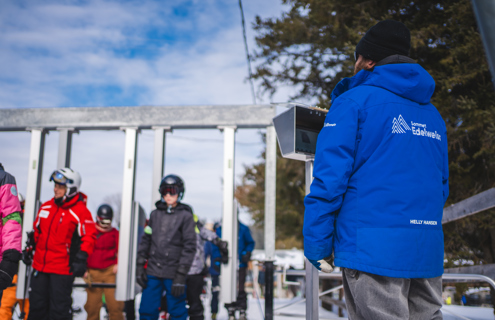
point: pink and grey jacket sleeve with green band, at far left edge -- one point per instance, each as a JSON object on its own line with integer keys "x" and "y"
{"x": 10, "y": 209}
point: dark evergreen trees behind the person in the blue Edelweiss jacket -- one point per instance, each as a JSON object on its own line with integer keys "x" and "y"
{"x": 310, "y": 47}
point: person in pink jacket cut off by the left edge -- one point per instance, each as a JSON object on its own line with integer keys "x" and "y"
{"x": 10, "y": 229}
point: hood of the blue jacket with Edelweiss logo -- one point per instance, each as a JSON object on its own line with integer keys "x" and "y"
{"x": 407, "y": 80}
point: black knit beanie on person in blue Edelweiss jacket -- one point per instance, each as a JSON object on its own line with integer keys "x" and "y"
{"x": 386, "y": 38}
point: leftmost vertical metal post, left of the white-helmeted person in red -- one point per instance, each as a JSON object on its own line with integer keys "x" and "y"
{"x": 32, "y": 196}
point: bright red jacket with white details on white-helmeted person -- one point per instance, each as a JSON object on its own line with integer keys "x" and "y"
{"x": 60, "y": 232}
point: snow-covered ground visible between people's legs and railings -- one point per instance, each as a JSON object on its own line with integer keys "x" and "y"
{"x": 254, "y": 310}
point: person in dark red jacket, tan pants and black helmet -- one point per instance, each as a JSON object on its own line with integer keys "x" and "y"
{"x": 102, "y": 267}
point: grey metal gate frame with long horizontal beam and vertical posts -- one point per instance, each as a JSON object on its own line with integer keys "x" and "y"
{"x": 160, "y": 119}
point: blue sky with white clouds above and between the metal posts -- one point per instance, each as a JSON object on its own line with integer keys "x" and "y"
{"x": 130, "y": 53}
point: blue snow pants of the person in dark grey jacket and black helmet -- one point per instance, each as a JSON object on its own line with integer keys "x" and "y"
{"x": 150, "y": 300}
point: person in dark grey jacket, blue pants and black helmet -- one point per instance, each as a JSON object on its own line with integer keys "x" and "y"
{"x": 169, "y": 246}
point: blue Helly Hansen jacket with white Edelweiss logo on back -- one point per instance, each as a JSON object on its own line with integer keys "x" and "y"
{"x": 380, "y": 176}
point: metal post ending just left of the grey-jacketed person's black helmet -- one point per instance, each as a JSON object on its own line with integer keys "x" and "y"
{"x": 158, "y": 162}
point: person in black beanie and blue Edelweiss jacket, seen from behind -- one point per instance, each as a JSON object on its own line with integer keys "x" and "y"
{"x": 380, "y": 184}
